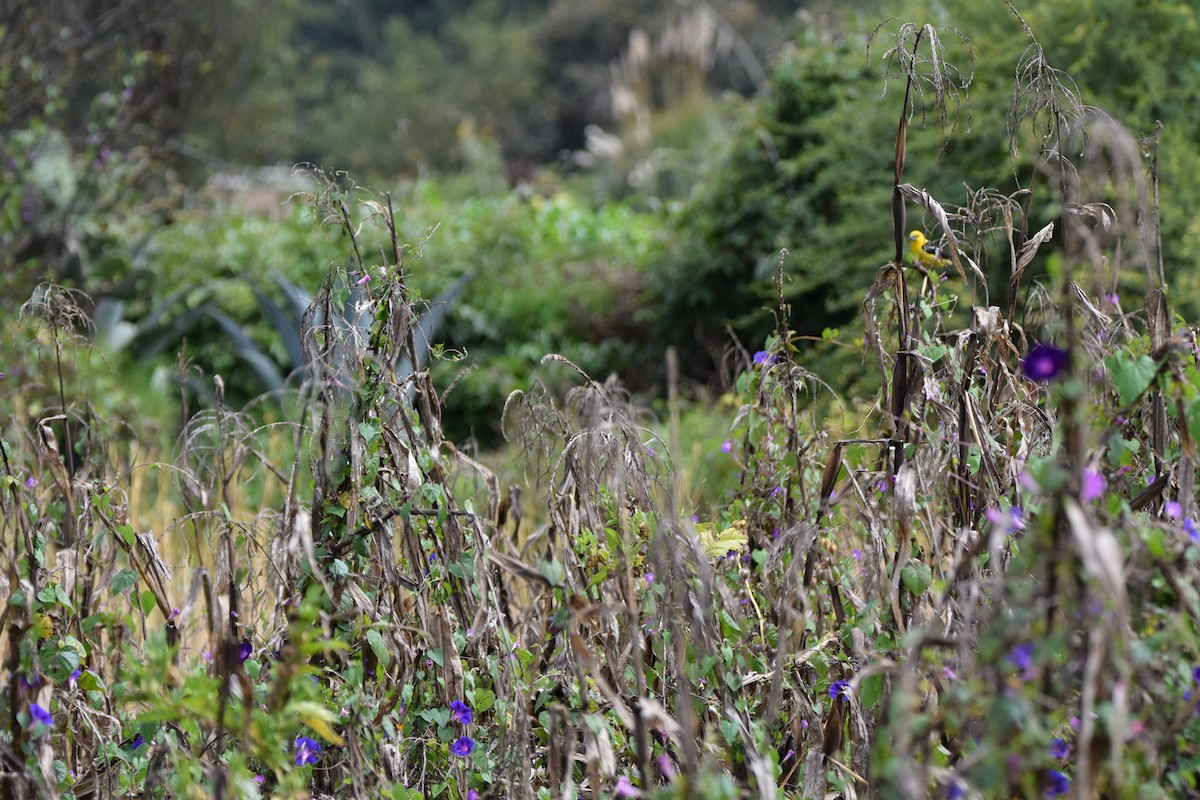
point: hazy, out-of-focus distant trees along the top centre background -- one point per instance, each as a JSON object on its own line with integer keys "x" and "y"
{"x": 381, "y": 88}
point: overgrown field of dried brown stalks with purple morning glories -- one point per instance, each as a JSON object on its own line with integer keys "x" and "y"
{"x": 982, "y": 581}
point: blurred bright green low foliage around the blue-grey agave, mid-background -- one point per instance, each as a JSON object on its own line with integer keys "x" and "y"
{"x": 538, "y": 275}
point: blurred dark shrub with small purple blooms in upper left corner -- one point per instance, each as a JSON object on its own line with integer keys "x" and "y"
{"x": 95, "y": 97}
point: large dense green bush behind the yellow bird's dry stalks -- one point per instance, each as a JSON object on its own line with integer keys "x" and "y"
{"x": 809, "y": 166}
